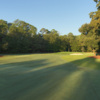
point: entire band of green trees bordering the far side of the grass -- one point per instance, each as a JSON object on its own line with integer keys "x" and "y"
{"x": 22, "y": 37}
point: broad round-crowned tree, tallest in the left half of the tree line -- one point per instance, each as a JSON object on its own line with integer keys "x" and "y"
{"x": 21, "y": 34}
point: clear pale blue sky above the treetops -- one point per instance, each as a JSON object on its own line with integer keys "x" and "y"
{"x": 62, "y": 15}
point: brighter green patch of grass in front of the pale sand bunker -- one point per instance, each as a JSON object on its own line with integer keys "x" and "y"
{"x": 83, "y": 60}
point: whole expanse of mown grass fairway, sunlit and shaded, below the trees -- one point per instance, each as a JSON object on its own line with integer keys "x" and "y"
{"x": 55, "y": 76}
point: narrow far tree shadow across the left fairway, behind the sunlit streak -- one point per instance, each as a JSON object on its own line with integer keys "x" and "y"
{"x": 23, "y": 65}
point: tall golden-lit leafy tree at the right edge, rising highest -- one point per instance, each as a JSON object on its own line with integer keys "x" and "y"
{"x": 91, "y": 31}
